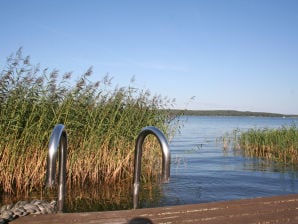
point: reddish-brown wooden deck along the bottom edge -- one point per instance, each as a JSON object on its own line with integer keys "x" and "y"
{"x": 279, "y": 209}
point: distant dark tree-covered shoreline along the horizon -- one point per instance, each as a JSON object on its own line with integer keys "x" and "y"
{"x": 229, "y": 113}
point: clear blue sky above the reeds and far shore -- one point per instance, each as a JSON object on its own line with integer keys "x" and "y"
{"x": 229, "y": 54}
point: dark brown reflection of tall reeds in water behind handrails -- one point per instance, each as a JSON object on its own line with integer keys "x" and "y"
{"x": 97, "y": 198}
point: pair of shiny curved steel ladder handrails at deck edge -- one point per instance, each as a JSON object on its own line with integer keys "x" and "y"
{"x": 58, "y": 139}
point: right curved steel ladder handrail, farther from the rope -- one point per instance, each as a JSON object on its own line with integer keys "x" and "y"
{"x": 166, "y": 158}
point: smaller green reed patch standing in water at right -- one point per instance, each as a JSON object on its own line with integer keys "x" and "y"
{"x": 279, "y": 145}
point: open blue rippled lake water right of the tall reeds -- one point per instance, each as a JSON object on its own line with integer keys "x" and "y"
{"x": 201, "y": 171}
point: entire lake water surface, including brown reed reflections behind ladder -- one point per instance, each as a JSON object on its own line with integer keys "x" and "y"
{"x": 201, "y": 171}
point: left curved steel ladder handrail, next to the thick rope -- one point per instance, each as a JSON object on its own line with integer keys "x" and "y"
{"x": 58, "y": 139}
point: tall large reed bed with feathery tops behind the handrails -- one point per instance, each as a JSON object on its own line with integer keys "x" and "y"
{"x": 102, "y": 122}
